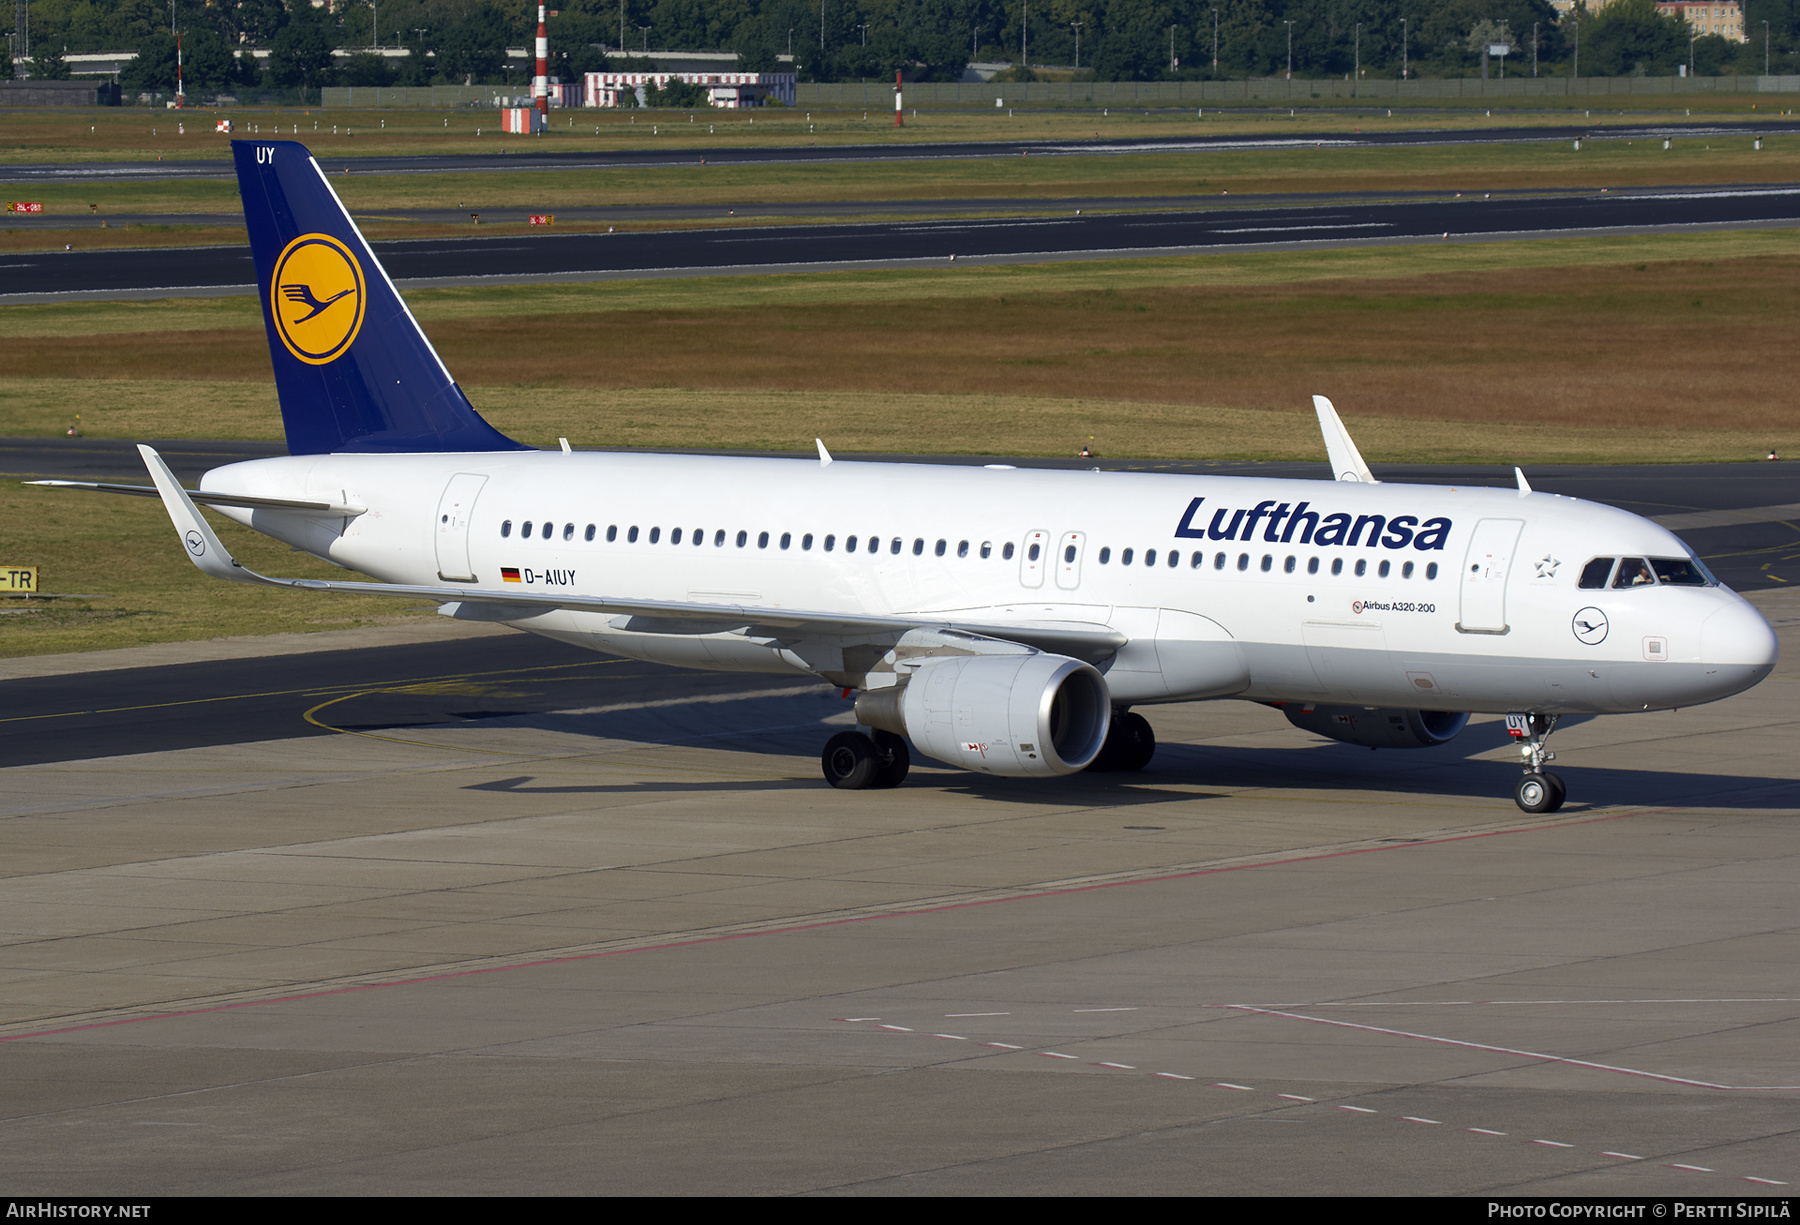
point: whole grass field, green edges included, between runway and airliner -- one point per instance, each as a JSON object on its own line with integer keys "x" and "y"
{"x": 1662, "y": 337}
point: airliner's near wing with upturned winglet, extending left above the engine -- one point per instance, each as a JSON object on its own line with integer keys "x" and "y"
{"x": 1065, "y": 638}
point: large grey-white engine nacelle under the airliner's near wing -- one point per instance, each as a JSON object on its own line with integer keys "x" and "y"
{"x": 1021, "y": 717}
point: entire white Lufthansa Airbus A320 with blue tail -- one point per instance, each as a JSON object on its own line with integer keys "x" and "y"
{"x": 998, "y": 620}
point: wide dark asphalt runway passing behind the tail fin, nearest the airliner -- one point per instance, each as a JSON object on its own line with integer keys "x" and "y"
{"x": 512, "y": 260}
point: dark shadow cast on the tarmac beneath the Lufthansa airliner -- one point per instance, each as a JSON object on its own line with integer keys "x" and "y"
{"x": 798, "y": 726}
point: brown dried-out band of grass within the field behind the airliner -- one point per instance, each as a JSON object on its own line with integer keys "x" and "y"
{"x": 1673, "y": 346}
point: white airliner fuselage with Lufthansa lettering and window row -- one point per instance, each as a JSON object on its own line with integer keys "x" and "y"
{"x": 1455, "y": 600}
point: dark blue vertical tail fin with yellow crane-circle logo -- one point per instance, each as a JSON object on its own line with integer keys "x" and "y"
{"x": 354, "y": 370}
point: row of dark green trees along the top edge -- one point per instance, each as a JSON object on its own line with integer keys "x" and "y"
{"x": 930, "y": 40}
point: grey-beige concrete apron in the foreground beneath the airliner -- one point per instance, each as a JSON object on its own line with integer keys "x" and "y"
{"x": 629, "y": 943}
